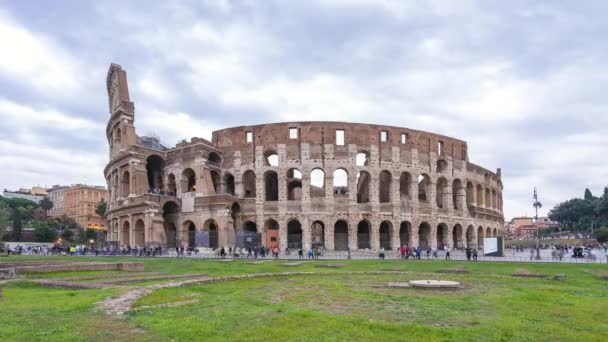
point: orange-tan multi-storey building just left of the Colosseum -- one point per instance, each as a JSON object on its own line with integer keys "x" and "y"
{"x": 79, "y": 203}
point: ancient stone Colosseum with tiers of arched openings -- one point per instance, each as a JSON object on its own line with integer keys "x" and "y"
{"x": 334, "y": 185}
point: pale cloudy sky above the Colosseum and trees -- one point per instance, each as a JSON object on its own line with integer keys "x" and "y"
{"x": 523, "y": 82}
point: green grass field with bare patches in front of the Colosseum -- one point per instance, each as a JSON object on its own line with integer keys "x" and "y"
{"x": 333, "y": 305}
